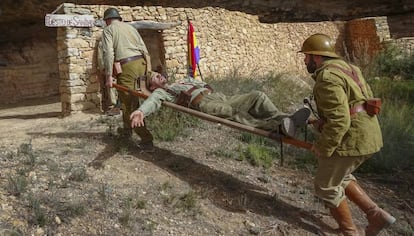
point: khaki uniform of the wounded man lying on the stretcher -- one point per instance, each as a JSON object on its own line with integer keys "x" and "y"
{"x": 253, "y": 109}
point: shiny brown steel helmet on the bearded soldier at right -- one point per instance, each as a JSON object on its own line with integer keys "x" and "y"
{"x": 319, "y": 44}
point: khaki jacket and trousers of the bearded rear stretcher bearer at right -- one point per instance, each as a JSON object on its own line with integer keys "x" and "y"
{"x": 346, "y": 140}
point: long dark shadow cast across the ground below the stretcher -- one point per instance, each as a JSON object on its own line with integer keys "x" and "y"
{"x": 224, "y": 190}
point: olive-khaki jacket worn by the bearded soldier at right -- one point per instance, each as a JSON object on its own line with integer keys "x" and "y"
{"x": 335, "y": 93}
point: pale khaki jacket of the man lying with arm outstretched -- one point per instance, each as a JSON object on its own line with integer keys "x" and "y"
{"x": 154, "y": 101}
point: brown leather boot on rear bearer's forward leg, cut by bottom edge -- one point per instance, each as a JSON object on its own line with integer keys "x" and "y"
{"x": 342, "y": 215}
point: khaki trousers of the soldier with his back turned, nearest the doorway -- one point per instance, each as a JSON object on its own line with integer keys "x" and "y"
{"x": 131, "y": 71}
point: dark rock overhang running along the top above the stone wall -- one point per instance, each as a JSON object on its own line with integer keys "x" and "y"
{"x": 24, "y": 12}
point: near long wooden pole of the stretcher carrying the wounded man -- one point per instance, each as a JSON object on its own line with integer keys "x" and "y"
{"x": 232, "y": 124}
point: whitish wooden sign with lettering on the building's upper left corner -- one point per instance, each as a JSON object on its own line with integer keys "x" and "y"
{"x": 61, "y": 20}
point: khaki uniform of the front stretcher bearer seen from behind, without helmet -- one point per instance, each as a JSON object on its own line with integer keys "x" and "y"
{"x": 120, "y": 41}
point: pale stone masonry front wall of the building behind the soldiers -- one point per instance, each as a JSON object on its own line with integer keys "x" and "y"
{"x": 229, "y": 42}
